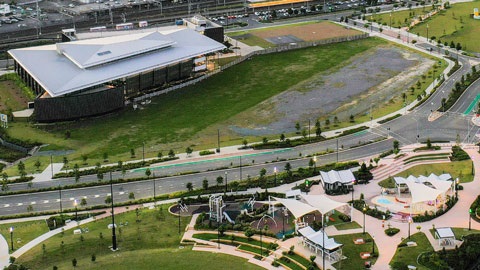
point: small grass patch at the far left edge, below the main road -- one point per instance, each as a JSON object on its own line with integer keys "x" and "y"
{"x": 23, "y": 232}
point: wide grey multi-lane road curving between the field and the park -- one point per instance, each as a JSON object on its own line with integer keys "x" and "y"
{"x": 410, "y": 128}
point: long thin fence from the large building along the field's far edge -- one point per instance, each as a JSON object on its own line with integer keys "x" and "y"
{"x": 291, "y": 46}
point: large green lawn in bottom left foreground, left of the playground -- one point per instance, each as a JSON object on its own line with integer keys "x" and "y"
{"x": 151, "y": 243}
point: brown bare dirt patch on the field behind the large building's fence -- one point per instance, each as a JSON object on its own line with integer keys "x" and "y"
{"x": 308, "y": 32}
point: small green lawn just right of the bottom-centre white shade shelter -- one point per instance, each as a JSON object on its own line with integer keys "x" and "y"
{"x": 352, "y": 251}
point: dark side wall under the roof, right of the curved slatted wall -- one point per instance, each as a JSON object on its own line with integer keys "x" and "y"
{"x": 140, "y": 83}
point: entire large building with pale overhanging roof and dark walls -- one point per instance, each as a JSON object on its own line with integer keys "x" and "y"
{"x": 95, "y": 76}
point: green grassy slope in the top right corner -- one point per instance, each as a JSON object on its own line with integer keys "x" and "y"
{"x": 455, "y": 25}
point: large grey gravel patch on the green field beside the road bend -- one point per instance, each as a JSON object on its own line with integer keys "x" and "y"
{"x": 370, "y": 79}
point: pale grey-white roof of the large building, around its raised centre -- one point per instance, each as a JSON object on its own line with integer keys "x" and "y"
{"x": 64, "y": 76}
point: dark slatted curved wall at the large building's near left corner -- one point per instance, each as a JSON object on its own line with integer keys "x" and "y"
{"x": 78, "y": 106}
